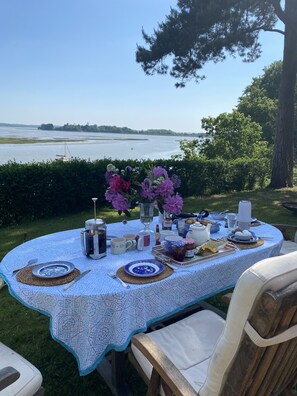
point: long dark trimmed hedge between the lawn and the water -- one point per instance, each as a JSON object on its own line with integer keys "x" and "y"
{"x": 37, "y": 190}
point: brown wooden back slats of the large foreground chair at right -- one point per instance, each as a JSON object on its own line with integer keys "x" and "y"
{"x": 268, "y": 370}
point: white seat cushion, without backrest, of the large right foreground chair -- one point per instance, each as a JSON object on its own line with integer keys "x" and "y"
{"x": 189, "y": 344}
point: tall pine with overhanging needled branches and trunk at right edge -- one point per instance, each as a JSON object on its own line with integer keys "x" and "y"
{"x": 200, "y": 31}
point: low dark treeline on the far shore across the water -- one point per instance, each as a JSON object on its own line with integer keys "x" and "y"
{"x": 113, "y": 129}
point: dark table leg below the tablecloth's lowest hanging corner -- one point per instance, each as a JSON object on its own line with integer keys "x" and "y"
{"x": 112, "y": 372}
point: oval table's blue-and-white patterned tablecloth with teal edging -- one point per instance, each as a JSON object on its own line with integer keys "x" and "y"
{"x": 97, "y": 314}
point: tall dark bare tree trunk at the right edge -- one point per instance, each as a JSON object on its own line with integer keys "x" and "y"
{"x": 283, "y": 156}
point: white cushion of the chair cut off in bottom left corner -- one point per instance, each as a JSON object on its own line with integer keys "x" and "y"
{"x": 30, "y": 379}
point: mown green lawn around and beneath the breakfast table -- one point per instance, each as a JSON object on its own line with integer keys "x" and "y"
{"x": 27, "y": 331}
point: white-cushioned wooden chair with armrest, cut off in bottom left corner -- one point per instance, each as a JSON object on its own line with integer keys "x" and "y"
{"x": 17, "y": 375}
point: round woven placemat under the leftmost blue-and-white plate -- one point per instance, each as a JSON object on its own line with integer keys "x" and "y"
{"x": 25, "y": 276}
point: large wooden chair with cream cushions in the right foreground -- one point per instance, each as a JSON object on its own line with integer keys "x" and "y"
{"x": 253, "y": 352}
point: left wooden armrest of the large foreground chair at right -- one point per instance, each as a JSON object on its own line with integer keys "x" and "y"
{"x": 163, "y": 366}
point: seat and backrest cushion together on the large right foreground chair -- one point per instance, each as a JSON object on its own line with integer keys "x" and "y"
{"x": 189, "y": 343}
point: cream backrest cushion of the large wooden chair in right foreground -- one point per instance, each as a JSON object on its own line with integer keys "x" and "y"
{"x": 270, "y": 274}
